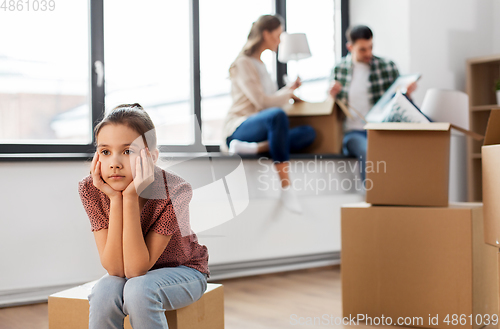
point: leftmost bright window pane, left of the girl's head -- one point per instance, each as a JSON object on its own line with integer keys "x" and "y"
{"x": 44, "y": 75}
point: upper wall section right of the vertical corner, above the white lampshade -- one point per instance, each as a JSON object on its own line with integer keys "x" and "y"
{"x": 443, "y": 35}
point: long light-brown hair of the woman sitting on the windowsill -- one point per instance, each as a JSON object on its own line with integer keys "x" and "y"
{"x": 255, "y": 37}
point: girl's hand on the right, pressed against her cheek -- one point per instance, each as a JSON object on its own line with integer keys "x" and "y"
{"x": 144, "y": 174}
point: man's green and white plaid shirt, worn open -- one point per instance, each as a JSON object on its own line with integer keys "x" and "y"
{"x": 382, "y": 74}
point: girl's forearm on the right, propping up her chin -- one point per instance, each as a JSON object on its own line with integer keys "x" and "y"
{"x": 136, "y": 258}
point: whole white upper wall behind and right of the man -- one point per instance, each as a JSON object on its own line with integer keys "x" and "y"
{"x": 431, "y": 37}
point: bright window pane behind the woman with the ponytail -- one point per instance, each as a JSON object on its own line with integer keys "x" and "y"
{"x": 222, "y": 36}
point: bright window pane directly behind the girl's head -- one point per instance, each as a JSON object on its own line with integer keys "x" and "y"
{"x": 147, "y": 61}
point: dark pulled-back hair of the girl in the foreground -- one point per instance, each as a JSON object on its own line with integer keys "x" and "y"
{"x": 134, "y": 117}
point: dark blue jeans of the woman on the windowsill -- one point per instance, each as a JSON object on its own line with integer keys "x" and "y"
{"x": 272, "y": 125}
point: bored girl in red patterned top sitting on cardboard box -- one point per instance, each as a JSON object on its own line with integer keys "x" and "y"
{"x": 141, "y": 227}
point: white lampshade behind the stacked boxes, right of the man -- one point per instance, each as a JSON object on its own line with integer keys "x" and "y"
{"x": 447, "y": 106}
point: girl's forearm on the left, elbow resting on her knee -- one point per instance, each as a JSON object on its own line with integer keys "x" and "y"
{"x": 112, "y": 257}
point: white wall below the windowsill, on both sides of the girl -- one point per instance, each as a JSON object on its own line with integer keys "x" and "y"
{"x": 45, "y": 237}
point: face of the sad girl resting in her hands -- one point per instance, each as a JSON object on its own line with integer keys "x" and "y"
{"x": 118, "y": 147}
